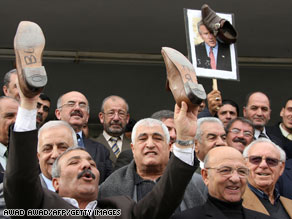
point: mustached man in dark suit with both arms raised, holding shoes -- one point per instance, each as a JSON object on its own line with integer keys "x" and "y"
{"x": 75, "y": 176}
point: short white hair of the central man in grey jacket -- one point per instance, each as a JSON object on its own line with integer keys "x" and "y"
{"x": 149, "y": 122}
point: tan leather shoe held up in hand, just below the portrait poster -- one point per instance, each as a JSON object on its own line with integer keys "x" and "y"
{"x": 181, "y": 78}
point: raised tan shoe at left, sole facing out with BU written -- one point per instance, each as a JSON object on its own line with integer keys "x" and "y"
{"x": 29, "y": 43}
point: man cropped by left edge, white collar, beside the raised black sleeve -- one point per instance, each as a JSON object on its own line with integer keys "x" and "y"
{"x": 8, "y": 112}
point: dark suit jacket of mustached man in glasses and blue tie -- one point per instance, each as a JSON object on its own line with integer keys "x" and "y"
{"x": 101, "y": 155}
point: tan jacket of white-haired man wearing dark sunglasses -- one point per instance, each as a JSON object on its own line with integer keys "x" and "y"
{"x": 252, "y": 202}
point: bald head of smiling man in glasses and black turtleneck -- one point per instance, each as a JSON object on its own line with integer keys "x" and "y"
{"x": 225, "y": 173}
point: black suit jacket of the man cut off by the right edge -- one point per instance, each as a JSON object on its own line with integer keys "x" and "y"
{"x": 282, "y": 141}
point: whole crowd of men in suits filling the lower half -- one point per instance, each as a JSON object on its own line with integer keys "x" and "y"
{"x": 174, "y": 166}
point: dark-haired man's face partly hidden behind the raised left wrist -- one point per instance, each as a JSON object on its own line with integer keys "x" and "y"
{"x": 43, "y": 105}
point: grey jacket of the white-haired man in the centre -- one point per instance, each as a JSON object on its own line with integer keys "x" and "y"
{"x": 122, "y": 182}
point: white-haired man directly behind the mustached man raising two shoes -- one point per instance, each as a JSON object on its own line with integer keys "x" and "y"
{"x": 54, "y": 138}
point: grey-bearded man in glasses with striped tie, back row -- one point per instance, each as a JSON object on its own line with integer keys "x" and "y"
{"x": 114, "y": 116}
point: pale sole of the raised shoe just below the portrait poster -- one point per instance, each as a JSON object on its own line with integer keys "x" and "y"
{"x": 194, "y": 91}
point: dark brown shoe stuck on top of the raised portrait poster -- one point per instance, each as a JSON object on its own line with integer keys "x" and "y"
{"x": 220, "y": 27}
